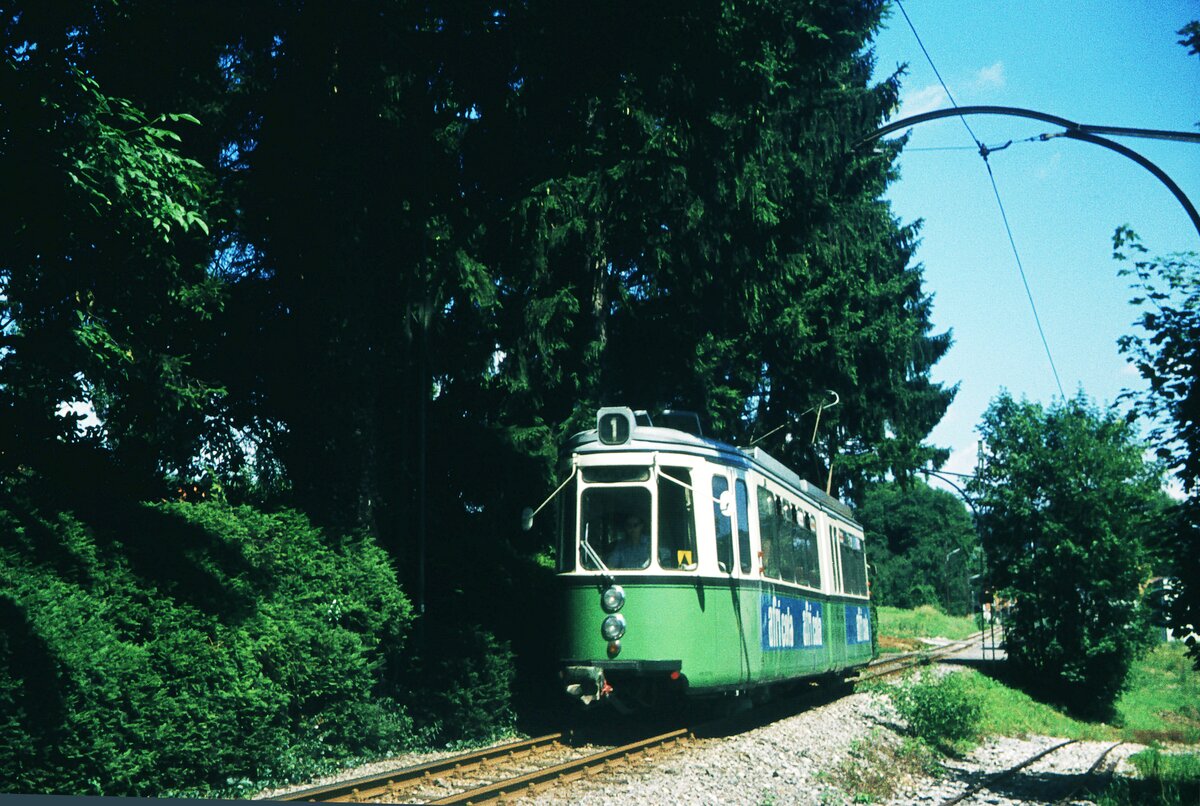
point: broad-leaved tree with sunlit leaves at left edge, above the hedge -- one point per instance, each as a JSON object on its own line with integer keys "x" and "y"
{"x": 104, "y": 291}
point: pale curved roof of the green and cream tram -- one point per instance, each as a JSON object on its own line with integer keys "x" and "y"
{"x": 653, "y": 438}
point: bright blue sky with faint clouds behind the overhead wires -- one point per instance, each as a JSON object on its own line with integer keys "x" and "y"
{"x": 1105, "y": 64}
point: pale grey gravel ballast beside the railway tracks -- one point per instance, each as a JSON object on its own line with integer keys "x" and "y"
{"x": 796, "y": 761}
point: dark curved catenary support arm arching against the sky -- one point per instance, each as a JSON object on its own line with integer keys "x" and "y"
{"x": 1085, "y": 133}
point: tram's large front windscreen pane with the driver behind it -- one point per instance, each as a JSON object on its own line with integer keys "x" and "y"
{"x": 616, "y": 526}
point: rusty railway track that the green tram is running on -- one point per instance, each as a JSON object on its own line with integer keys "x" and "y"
{"x": 531, "y": 766}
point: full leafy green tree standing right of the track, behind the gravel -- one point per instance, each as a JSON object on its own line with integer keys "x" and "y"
{"x": 1066, "y": 501}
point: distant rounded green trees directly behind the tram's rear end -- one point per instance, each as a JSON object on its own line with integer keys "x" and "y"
{"x": 922, "y": 546}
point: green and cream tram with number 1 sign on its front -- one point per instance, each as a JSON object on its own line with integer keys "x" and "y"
{"x": 741, "y": 591}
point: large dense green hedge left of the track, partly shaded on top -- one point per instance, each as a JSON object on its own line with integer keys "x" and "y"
{"x": 189, "y": 648}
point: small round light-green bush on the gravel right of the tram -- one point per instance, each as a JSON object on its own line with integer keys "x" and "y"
{"x": 943, "y": 711}
